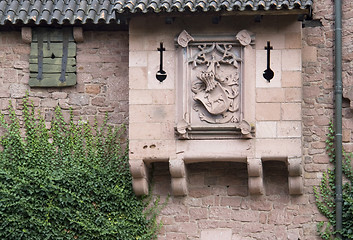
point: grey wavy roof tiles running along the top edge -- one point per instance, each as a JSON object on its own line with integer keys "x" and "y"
{"x": 103, "y": 11}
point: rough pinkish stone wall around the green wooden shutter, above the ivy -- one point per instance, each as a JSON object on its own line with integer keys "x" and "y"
{"x": 102, "y": 81}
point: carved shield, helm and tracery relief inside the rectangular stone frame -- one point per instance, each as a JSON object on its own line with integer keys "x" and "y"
{"x": 216, "y": 89}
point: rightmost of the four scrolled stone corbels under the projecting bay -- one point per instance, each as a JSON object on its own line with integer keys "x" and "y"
{"x": 295, "y": 179}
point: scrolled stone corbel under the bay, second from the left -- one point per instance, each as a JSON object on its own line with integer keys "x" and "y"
{"x": 178, "y": 176}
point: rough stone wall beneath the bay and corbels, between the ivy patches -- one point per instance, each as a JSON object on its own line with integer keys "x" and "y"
{"x": 218, "y": 200}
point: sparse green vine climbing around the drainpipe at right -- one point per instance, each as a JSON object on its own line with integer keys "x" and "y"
{"x": 325, "y": 194}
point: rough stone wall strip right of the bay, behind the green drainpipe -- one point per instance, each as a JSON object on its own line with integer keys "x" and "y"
{"x": 318, "y": 89}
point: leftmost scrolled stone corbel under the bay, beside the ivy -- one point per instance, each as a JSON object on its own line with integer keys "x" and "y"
{"x": 139, "y": 174}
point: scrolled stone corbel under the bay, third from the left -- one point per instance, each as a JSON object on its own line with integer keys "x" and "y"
{"x": 255, "y": 179}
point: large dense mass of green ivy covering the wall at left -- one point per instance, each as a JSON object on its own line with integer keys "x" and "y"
{"x": 68, "y": 182}
